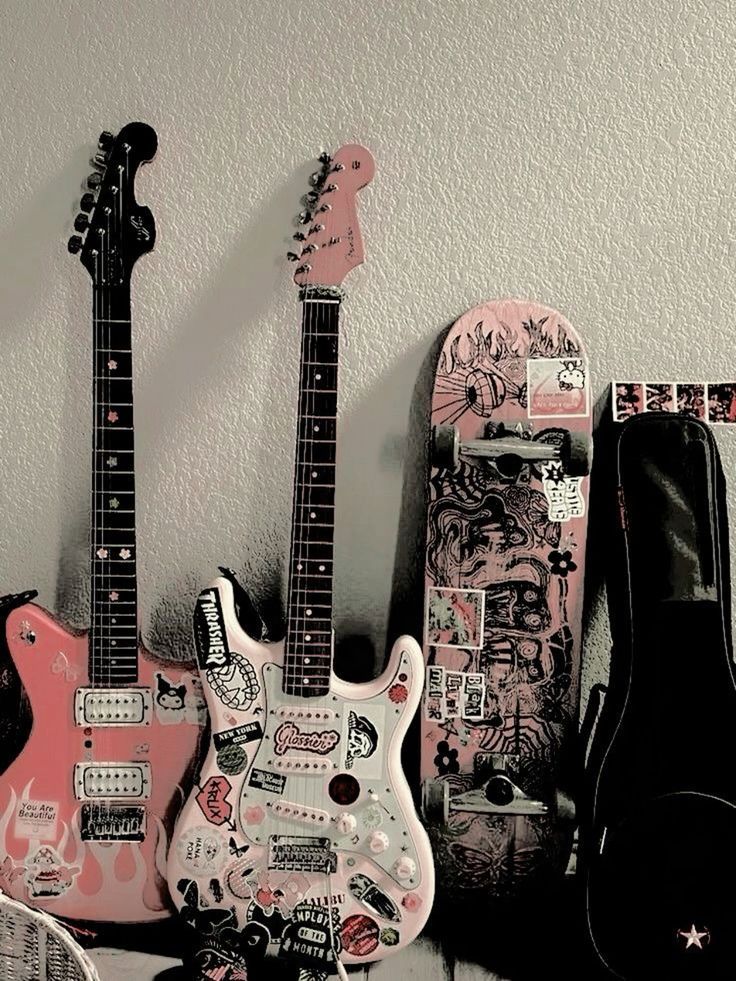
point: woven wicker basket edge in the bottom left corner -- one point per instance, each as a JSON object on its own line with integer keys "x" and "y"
{"x": 34, "y": 947}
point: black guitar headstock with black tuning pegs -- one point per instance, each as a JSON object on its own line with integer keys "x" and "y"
{"x": 114, "y": 229}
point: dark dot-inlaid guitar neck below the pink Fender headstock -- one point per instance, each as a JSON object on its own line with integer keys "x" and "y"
{"x": 308, "y": 650}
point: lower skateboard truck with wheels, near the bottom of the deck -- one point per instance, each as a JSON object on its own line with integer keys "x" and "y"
{"x": 499, "y": 794}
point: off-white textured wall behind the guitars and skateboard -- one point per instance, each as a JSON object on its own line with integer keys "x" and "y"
{"x": 581, "y": 154}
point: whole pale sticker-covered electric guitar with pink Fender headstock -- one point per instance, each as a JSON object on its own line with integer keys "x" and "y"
{"x": 301, "y": 840}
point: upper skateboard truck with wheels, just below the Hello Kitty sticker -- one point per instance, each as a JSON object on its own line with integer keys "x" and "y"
{"x": 510, "y": 452}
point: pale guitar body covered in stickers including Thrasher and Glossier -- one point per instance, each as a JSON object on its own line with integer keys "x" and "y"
{"x": 301, "y": 812}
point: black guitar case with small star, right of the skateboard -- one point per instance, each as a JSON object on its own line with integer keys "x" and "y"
{"x": 659, "y": 822}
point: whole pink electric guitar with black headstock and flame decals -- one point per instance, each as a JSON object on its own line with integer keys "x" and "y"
{"x": 87, "y": 809}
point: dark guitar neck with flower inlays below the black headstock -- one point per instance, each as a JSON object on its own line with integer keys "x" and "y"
{"x": 114, "y": 628}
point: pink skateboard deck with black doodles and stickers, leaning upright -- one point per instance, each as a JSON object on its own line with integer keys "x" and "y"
{"x": 511, "y": 451}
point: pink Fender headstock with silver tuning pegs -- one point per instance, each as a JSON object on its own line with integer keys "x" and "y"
{"x": 331, "y": 244}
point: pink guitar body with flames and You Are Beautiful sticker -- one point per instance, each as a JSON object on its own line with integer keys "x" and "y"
{"x": 85, "y": 815}
